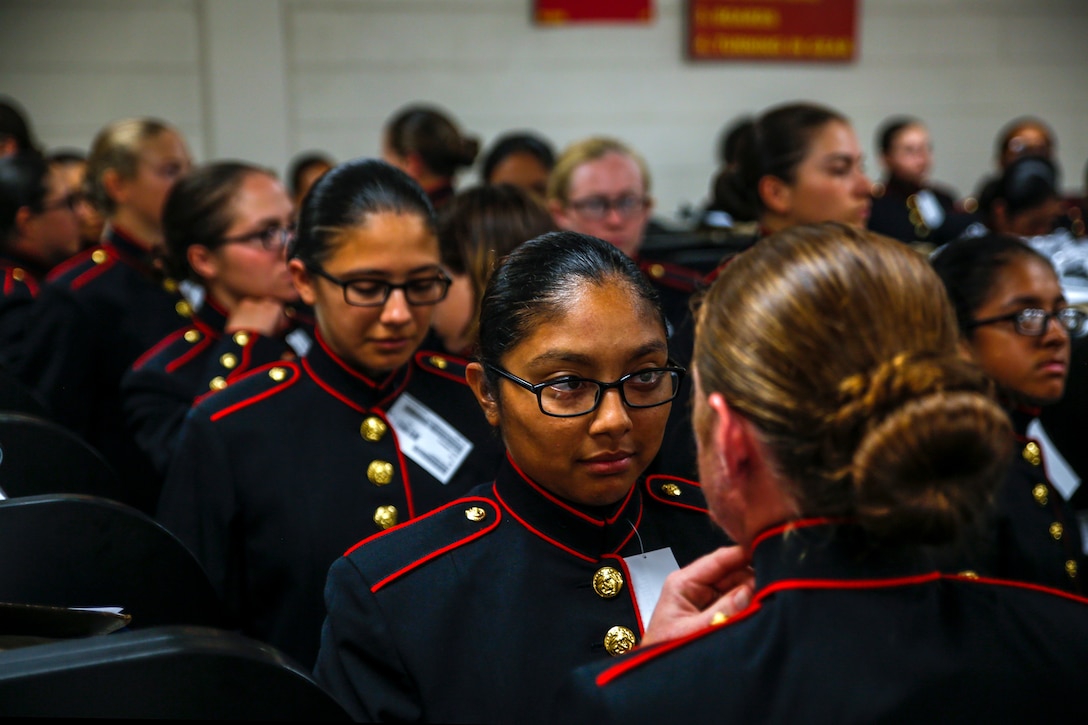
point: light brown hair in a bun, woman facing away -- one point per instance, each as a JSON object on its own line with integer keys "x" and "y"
{"x": 840, "y": 348}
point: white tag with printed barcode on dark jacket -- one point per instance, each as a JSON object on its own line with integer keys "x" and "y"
{"x": 439, "y": 448}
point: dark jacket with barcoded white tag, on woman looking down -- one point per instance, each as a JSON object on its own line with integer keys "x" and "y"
{"x": 280, "y": 473}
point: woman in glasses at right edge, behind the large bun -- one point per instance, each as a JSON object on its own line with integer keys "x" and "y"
{"x": 1017, "y": 325}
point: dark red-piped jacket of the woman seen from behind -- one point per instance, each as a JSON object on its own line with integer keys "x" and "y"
{"x": 840, "y": 631}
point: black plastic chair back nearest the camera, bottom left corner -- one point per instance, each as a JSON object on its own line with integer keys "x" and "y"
{"x": 187, "y": 673}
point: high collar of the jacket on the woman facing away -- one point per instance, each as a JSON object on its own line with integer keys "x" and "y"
{"x": 825, "y": 549}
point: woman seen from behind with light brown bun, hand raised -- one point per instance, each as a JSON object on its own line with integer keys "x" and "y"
{"x": 835, "y": 478}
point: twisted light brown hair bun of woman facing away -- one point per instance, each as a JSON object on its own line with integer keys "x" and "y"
{"x": 932, "y": 447}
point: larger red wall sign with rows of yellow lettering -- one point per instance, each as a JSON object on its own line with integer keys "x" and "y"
{"x": 773, "y": 30}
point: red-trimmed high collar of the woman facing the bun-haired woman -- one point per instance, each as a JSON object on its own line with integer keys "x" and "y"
{"x": 579, "y": 531}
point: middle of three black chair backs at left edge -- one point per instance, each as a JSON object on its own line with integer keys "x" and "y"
{"x": 73, "y": 551}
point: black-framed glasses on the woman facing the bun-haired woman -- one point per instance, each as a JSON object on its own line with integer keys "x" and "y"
{"x": 570, "y": 397}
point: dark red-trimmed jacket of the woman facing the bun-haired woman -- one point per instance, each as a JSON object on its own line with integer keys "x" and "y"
{"x": 511, "y": 585}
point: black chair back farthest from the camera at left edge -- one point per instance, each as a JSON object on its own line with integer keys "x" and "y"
{"x": 40, "y": 457}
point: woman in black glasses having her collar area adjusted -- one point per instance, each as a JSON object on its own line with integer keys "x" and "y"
{"x": 559, "y": 561}
